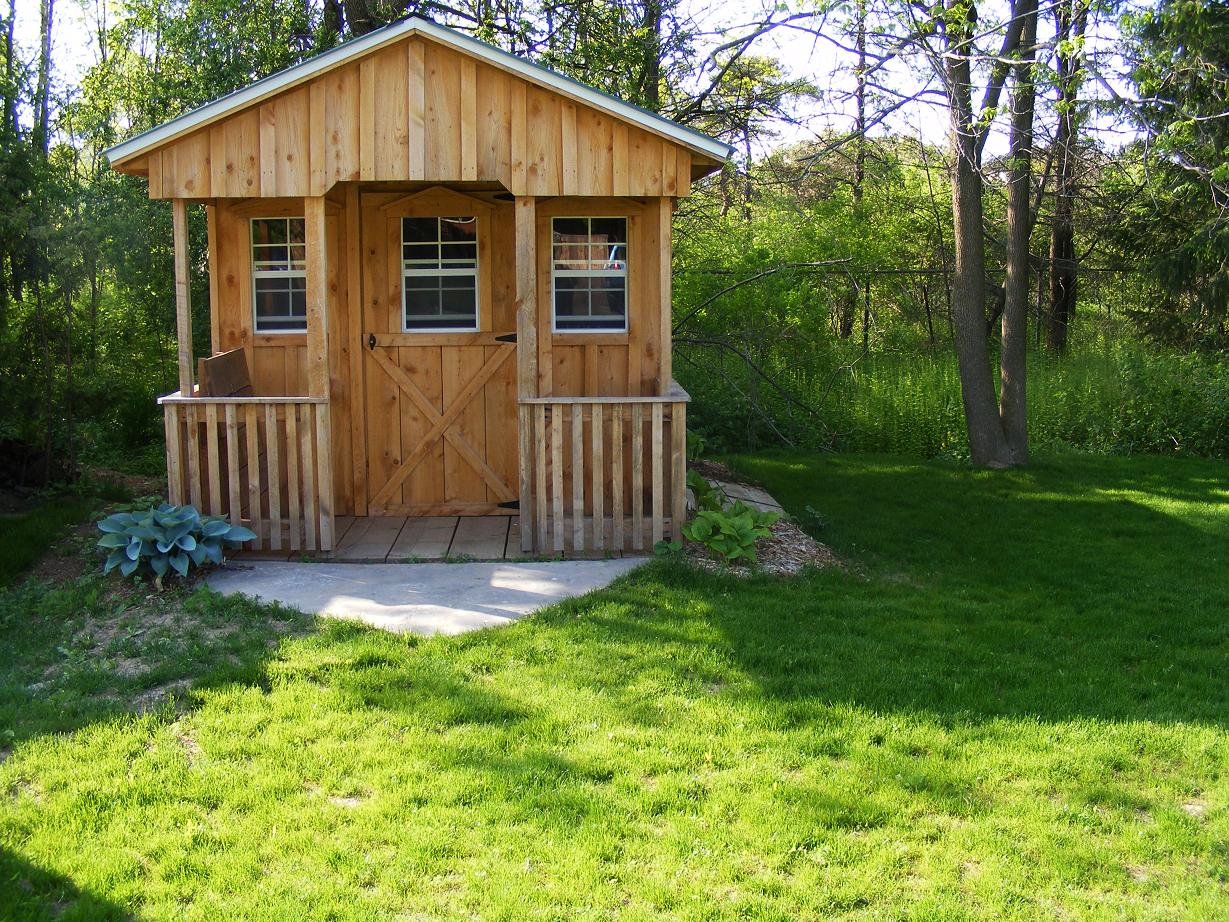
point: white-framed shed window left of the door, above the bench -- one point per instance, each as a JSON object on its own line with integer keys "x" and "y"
{"x": 280, "y": 275}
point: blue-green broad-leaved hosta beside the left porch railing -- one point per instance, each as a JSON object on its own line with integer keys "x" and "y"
{"x": 168, "y": 538}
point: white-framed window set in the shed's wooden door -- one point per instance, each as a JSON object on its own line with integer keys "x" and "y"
{"x": 439, "y": 259}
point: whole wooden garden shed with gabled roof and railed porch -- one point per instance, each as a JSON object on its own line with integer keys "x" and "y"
{"x": 439, "y": 286}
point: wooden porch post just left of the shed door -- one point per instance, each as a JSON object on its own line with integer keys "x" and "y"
{"x": 316, "y": 238}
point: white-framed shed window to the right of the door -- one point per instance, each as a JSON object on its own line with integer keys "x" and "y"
{"x": 589, "y": 274}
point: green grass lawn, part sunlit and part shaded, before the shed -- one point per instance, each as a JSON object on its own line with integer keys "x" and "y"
{"x": 1015, "y": 705}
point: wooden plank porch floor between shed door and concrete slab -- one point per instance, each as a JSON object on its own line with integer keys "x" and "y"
{"x": 399, "y": 539}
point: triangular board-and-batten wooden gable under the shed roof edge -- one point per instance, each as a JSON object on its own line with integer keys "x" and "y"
{"x": 373, "y": 120}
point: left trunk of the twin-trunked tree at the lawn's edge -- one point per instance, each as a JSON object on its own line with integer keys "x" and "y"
{"x": 988, "y": 446}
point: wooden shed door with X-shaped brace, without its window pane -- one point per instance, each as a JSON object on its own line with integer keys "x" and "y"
{"x": 441, "y": 406}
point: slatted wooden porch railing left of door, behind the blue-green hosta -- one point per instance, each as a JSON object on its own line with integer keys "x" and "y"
{"x": 262, "y": 462}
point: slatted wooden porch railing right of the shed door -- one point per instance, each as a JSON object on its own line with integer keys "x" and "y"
{"x": 605, "y": 474}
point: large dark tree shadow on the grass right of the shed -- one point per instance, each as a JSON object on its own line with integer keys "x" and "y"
{"x": 1082, "y": 589}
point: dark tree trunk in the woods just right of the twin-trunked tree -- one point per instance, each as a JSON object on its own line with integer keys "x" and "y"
{"x": 1071, "y": 18}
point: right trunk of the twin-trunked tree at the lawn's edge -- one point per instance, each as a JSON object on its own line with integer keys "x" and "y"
{"x": 1013, "y": 358}
